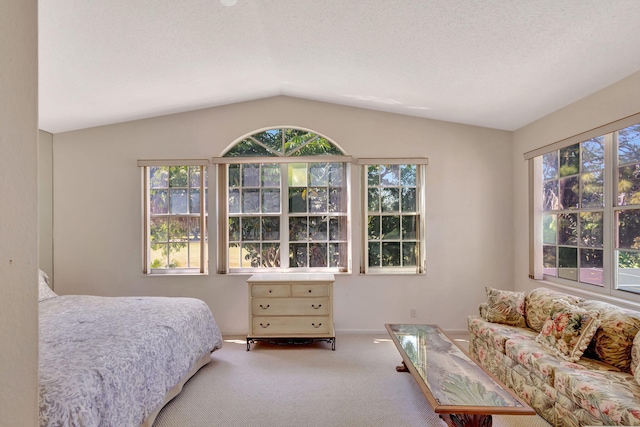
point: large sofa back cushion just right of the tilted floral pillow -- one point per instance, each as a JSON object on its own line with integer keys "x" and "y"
{"x": 613, "y": 340}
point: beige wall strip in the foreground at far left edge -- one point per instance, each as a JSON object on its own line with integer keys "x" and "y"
{"x": 18, "y": 227}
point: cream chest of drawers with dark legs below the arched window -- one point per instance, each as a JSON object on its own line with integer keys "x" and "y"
{"x": 291, "y": 308}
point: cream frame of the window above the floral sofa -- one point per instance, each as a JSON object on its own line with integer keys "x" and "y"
{"x": 610, "y": 286}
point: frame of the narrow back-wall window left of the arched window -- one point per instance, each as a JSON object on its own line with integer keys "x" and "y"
{"x": 145, "y": 166}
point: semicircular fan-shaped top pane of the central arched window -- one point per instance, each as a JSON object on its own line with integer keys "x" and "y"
{"x": 284, "y": 142}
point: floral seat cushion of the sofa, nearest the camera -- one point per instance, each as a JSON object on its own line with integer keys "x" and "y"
{"x": 612, "y": 396}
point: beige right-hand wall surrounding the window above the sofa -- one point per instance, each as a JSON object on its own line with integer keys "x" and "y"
{"x": 615, "y": 102}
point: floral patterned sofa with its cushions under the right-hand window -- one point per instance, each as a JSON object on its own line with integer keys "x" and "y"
{"x": 575, "y": 361}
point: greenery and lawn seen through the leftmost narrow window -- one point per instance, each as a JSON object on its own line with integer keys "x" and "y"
{"x": 175, "y": 224}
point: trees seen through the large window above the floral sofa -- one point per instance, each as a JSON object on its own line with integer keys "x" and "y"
{"x": 591, "y": 212}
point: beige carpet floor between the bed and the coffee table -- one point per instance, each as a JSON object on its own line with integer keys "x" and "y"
{"x": 308, "y": 386}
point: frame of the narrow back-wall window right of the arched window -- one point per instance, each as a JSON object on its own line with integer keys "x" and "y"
{"x": 421, "y": 263}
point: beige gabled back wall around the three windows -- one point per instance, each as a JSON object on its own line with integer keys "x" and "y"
{"x": 98, "y": 226}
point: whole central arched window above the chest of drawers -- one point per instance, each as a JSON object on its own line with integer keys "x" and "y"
{"x": 283, "y": 203}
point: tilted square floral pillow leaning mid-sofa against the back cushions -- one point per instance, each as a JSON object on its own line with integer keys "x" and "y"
{"x": 568, "y": 330}
